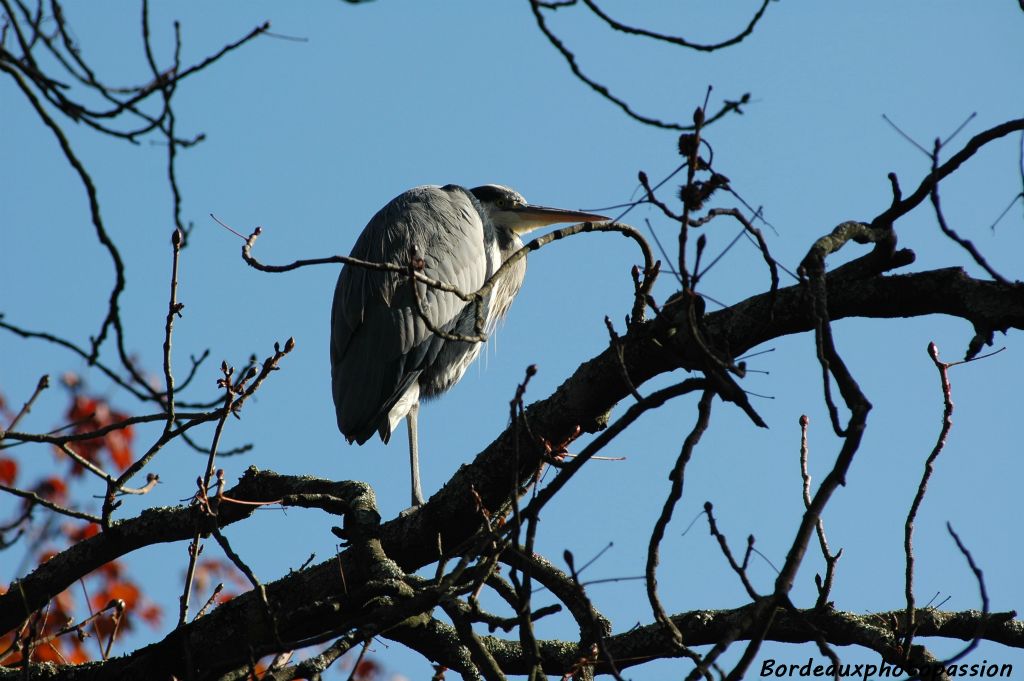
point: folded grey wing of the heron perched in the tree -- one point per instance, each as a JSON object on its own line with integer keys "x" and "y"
{"x": 379, "y": 345}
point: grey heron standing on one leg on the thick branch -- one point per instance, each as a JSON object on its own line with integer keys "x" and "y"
{"x": 383, "y": 358}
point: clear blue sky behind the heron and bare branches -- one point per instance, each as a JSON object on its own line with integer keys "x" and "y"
{"x": 310, "y": 139}
